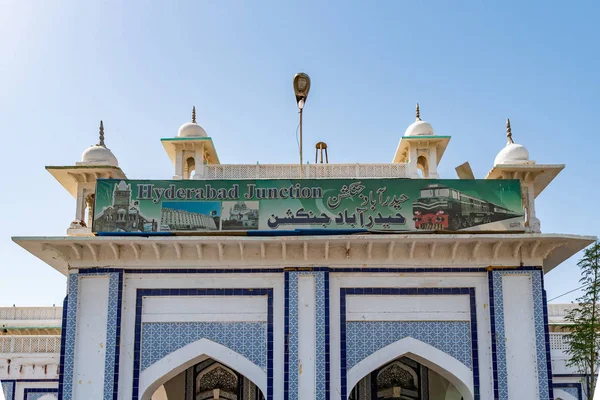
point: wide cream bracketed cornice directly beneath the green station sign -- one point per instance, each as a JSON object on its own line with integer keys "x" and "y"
{"x": 392, "y": 250}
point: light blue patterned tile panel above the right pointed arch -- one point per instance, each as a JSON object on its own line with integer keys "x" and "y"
{"x": 365, "y": 338}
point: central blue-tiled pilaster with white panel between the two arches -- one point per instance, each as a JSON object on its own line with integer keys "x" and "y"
{"x": 307, "y": 355}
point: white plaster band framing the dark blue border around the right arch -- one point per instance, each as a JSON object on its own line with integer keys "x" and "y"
{"x": 479, "y": 281}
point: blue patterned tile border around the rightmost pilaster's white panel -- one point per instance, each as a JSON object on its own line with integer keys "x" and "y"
{"x": 500, "y": 337}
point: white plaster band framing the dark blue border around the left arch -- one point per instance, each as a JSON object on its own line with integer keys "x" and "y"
{"x": 197, "y": 280}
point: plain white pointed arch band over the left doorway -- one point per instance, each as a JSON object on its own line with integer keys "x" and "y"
{"x": 187, "y": 356}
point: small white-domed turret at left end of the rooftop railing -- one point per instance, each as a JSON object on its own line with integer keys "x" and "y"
{"x": 191, "y": 150}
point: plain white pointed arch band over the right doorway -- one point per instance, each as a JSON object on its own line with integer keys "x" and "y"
{"x": 444, "y": 364}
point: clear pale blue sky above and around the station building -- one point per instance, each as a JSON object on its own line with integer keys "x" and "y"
{"x": 140, "y": 66}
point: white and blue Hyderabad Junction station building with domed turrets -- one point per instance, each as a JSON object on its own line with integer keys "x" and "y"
{"x": 453, "y": 307}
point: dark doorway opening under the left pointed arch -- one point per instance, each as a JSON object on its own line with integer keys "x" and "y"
{"x": 208, "y": 380}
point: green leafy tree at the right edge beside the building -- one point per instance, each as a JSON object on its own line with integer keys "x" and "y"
{"x": 584, "y": 333}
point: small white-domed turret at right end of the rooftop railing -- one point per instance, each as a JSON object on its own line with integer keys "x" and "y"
{"x": 421, "y": 149}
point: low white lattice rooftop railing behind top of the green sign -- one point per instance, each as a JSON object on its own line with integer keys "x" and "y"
{"x": 309, "y": 171}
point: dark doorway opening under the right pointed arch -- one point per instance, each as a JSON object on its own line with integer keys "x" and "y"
{"x": 404, "y": 379}
